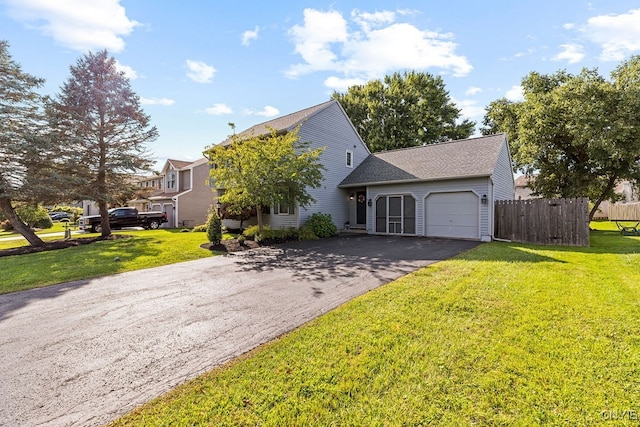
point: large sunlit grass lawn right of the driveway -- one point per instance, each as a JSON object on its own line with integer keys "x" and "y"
{"x": 505, "y": 334}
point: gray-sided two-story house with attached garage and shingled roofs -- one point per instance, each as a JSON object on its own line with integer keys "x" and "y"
{"x": 443, "y": 190}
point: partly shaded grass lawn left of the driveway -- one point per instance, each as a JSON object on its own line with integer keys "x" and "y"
{"x": 147, "y": 248}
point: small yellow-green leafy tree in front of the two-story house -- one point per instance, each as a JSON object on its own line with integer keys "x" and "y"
{"x": 265, "y": 170}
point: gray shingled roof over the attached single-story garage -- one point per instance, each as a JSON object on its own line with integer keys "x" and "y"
{"x": 465, "y": 158}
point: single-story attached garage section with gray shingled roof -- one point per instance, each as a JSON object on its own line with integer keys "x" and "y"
{"x": 439, "y": 190}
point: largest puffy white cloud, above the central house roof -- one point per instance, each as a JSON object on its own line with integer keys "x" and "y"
{"x": 378, "y": 46}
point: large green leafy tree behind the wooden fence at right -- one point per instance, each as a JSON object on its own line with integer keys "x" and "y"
{"x": 579, "y": 133}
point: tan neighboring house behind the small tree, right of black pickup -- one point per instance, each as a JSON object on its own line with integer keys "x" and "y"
{"x": 184, "y": 194}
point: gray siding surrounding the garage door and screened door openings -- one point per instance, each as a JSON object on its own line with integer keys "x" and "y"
{"x": 421, "y": 190}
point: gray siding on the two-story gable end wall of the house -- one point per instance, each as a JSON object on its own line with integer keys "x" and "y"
{"x": 332, "y": 129}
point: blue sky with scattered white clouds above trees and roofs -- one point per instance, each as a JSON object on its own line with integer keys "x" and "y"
{"x": 198, "y": 65}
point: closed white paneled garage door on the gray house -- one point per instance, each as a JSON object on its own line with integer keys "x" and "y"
{"x": 453, "y": 215}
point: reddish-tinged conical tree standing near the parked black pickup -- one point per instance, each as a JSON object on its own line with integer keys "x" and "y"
{"x": 99, "y": 119}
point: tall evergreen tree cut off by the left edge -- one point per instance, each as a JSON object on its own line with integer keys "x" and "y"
{"x": 25, "y": 150}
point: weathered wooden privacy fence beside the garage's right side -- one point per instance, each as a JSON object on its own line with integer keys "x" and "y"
{"x": 543, "y": 221}
